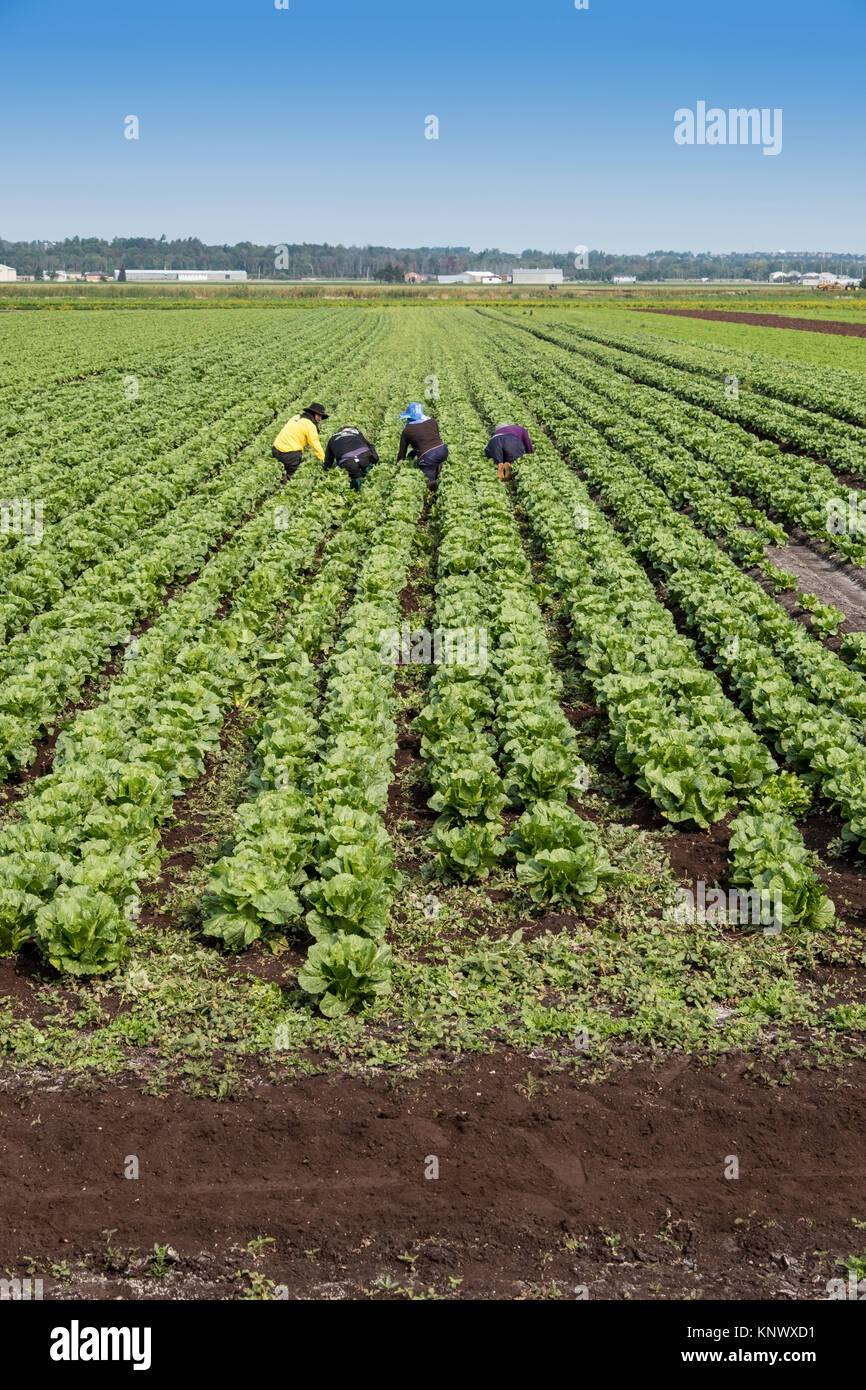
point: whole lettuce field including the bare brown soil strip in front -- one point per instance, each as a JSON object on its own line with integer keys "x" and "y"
{"x": 461, "y": 843}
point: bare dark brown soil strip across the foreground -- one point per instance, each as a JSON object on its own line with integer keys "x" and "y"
{"x": 543, "y": 1184}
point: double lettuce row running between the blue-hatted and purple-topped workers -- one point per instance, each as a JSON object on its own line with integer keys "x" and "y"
{"x": 493, "y": 732}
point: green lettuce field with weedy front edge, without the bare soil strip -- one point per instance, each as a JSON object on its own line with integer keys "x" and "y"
{"x": 433, "y": 856}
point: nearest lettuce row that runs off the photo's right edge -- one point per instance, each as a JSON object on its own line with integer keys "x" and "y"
{"x": 800, "y": 693}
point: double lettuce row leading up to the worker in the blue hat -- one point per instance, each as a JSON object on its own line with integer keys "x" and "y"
{"x": 312, "y": 849}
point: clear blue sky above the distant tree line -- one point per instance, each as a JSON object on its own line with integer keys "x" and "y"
{"x": 555, "y": 126}
